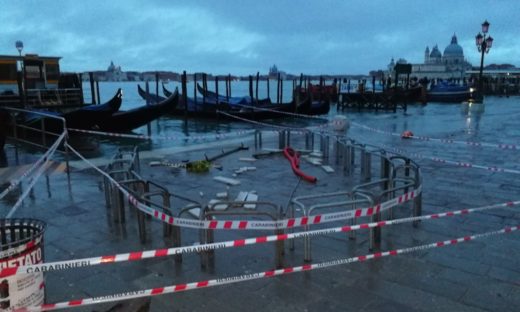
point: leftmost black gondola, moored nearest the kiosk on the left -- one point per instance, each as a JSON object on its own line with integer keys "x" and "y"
{"x": 86, "y": 118}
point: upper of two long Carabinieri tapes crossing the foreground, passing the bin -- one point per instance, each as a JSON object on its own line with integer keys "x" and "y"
{"x": 157, "y": 253}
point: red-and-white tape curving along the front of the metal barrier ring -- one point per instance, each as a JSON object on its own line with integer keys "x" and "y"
{"x": 256, "y": 225}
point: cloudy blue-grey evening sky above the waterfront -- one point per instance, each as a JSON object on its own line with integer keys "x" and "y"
{"x": 246, "y": 36}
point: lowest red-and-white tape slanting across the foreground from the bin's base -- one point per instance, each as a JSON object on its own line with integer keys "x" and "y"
{"x": 258, "y": 275}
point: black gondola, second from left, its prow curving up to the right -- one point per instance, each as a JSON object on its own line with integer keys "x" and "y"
{"x": 126, "y": 121}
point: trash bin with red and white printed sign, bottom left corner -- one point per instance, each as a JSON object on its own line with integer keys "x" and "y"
{"x": 21, "y": 243}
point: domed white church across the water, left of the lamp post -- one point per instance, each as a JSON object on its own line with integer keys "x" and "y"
{"x": 450, "y": 64}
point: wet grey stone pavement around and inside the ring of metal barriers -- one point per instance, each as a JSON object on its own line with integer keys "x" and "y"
{"x": 482, "y": 275}
